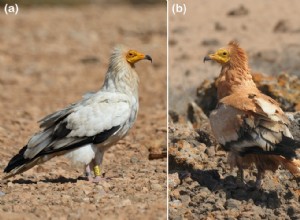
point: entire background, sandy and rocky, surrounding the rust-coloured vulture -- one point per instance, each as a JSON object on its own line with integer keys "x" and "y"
{"x": 201, "y": 184}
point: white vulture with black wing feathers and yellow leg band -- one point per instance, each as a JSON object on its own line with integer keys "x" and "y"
{"x": 84, "y": 130}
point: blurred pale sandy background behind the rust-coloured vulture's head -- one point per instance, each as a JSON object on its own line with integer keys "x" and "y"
{"x": 269, "y": 31}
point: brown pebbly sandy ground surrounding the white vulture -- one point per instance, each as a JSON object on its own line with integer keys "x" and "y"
{"x": 49, "y": 57}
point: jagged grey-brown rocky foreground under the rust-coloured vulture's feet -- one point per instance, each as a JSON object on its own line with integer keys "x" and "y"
{"x": 202, "y": 186}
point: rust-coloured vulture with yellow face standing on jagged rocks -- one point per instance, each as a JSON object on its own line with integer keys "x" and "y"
{"x": 249, "y": 124}
